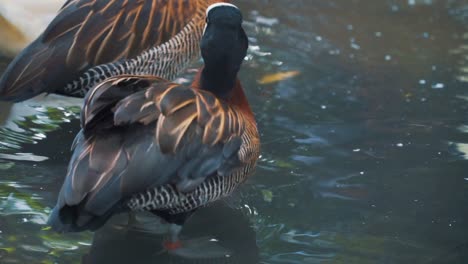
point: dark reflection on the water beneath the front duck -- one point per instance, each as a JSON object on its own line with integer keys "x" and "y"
{"x": 119, "y": 243}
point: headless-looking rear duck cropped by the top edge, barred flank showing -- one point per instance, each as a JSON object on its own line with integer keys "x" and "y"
{"x": 91, "y": 40}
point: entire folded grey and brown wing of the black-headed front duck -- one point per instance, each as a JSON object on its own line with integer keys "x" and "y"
{"x": 161, "y": 134}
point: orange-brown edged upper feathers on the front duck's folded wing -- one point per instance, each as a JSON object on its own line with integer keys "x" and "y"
{"x": 178, "y": 107}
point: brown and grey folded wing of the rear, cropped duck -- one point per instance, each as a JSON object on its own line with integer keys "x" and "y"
{"x": 86, "y": 33}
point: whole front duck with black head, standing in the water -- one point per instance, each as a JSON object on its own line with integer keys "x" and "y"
{"x": 148, "y": 144}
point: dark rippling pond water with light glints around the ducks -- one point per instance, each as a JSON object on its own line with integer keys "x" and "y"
{"x": 364, "y": 156}
